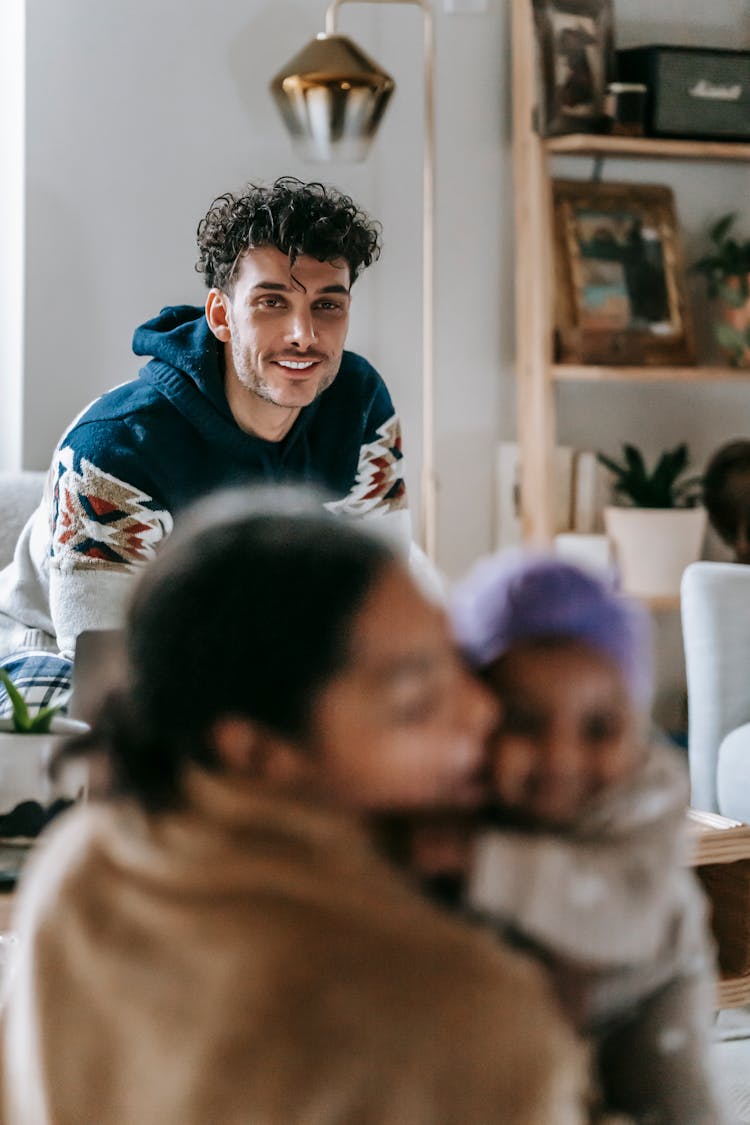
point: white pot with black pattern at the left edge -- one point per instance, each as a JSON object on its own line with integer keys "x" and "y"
{"x": 25, "y": 781}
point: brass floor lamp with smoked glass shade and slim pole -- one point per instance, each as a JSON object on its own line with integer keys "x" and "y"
{"x": 332, "y": 97}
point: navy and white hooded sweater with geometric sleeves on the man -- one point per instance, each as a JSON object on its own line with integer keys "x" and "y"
{"x": 143, "y": 452}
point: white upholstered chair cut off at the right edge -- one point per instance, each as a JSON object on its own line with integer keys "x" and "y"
{"x": 716, "y": 607}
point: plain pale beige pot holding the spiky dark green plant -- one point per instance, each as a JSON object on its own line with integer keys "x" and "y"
{"x": 653, "y": 546}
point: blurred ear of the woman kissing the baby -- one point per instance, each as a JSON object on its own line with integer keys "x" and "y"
{"x": 245, "y": 748}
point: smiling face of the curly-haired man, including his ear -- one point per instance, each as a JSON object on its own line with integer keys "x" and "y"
{"x": 285, "y": 326}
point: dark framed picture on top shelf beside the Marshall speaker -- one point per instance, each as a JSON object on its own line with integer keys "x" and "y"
{"x": 576, "y": 61}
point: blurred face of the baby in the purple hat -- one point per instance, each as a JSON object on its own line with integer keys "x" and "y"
{"x": 568, "y": 730}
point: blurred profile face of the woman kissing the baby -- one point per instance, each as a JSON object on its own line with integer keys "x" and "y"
{"x": 403, "y": 727}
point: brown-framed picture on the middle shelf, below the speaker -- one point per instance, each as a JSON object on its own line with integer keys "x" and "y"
{"x": 620, "y": 282}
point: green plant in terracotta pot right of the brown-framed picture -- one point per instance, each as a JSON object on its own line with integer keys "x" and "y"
{"x": 727, "y": 271}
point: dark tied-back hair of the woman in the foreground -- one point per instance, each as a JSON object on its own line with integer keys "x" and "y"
{"x": 246, "y": 613}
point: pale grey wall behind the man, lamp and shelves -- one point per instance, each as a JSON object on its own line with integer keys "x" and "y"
{"x": 139, "y": 114}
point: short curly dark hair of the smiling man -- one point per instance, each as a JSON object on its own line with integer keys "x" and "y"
{"x": 295, "y": 218}
